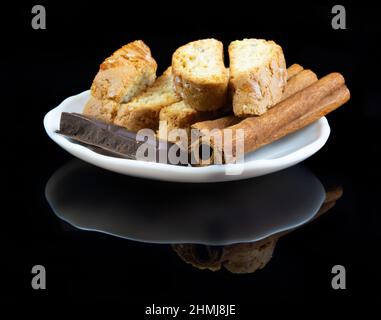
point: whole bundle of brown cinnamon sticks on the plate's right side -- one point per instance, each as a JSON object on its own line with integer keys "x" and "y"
{"x": 305, "y": 100}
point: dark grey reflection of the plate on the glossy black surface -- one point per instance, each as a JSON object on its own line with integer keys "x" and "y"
{"x": 216, "y": 214}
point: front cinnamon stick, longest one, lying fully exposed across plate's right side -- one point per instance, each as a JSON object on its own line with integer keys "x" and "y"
{"x": 292, "y": 114}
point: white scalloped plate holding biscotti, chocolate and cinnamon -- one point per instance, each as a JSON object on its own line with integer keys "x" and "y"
{"x": 276, "y": 156}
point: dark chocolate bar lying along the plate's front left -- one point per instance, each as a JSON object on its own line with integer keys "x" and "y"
{"x": 110, "y": 139}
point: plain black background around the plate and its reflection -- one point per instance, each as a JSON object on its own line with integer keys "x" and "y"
{"x": 40, "y": 68}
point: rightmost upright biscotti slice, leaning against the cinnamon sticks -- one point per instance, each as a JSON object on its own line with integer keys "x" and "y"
{"x": 257, "y": 75}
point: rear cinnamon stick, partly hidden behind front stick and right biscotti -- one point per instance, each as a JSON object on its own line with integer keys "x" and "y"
{"x": 298, "y": 79}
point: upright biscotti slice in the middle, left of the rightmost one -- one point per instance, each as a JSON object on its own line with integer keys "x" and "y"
{"x": 200, "y": 76}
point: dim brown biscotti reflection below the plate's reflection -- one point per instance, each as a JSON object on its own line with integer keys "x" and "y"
{"x": 237, "y": 258}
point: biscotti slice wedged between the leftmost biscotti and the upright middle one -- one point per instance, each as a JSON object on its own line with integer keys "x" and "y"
{"x": 143, "y": 110}
